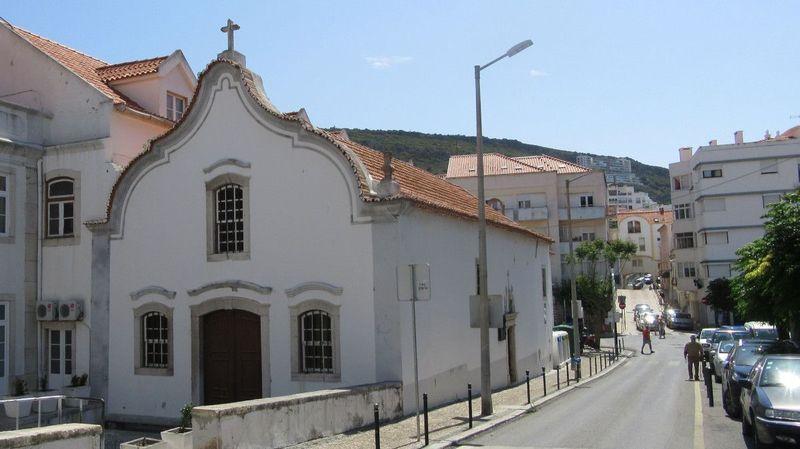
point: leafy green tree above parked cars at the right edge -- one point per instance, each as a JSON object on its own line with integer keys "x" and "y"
{"x": 766, "y": 288}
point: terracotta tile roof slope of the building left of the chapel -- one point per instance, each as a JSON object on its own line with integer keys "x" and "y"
{"x": 82, "y": 65}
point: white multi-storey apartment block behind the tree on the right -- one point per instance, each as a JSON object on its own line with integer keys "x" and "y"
{"x": 719, "y": 195}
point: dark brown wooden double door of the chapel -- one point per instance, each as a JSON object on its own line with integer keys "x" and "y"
{"x": 231, "y": 356}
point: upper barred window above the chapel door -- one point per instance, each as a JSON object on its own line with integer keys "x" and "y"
{"x": 229, "y": 219}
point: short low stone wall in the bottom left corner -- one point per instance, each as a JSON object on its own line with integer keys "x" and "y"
{"x": 63, "y": 436}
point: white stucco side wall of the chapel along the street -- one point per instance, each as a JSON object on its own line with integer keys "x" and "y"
{"x": 449, "y": 354}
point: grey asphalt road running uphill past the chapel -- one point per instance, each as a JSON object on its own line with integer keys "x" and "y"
{"x": 645, "y": 403}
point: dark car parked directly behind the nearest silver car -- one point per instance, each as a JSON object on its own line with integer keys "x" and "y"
{"x": 740, "y": 362}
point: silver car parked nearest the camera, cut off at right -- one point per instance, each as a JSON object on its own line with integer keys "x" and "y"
{"x": 770, "y": 403}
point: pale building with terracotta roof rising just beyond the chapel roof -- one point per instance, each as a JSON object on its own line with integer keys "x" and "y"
{"x": 531, "y": 190}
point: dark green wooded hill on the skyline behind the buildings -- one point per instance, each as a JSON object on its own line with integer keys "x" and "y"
{"x": 432, "y": 151}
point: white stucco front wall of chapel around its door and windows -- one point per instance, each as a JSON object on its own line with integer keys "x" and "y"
{"x": 301, "y": 230}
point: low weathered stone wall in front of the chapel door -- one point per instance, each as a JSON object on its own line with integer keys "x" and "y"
{"x": 285, "y": 420}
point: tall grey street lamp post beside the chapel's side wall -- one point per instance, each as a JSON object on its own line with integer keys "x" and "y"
{"x": 486, "y": 380}
